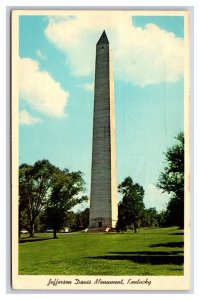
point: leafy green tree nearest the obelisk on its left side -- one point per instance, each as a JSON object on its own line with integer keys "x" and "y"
{"x": 64, "y": 194}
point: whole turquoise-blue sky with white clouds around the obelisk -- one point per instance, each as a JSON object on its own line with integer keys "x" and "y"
{"x": 57, "y": 56}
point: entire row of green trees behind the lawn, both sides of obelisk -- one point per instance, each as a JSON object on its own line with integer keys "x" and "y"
{"x": 47, "y": 195}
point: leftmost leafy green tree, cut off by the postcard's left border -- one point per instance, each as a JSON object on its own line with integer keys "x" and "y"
{"x": 34, "y": 184}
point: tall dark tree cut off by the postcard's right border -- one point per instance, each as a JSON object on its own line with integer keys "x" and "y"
{"x": 171, "y": 180}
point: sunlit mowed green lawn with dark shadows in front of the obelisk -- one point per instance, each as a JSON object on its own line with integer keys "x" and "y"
{"x": 149, "y": 252}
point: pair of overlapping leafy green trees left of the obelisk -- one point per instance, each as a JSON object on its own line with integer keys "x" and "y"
{"x": 44, "y": 188}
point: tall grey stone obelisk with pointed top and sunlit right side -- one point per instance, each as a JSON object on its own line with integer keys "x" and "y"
{"x": 103, "y": 197}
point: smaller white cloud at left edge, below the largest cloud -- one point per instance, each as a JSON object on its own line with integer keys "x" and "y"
{"x": 40, "y": 90}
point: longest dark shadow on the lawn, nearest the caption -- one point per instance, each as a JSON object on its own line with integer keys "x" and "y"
{"x": 146, "y": 257}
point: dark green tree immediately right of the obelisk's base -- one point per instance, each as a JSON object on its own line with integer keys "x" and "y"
{"x": 132, "y": 206}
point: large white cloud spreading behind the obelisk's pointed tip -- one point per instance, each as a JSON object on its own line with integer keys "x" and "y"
{"x": 142, "y": 56}
